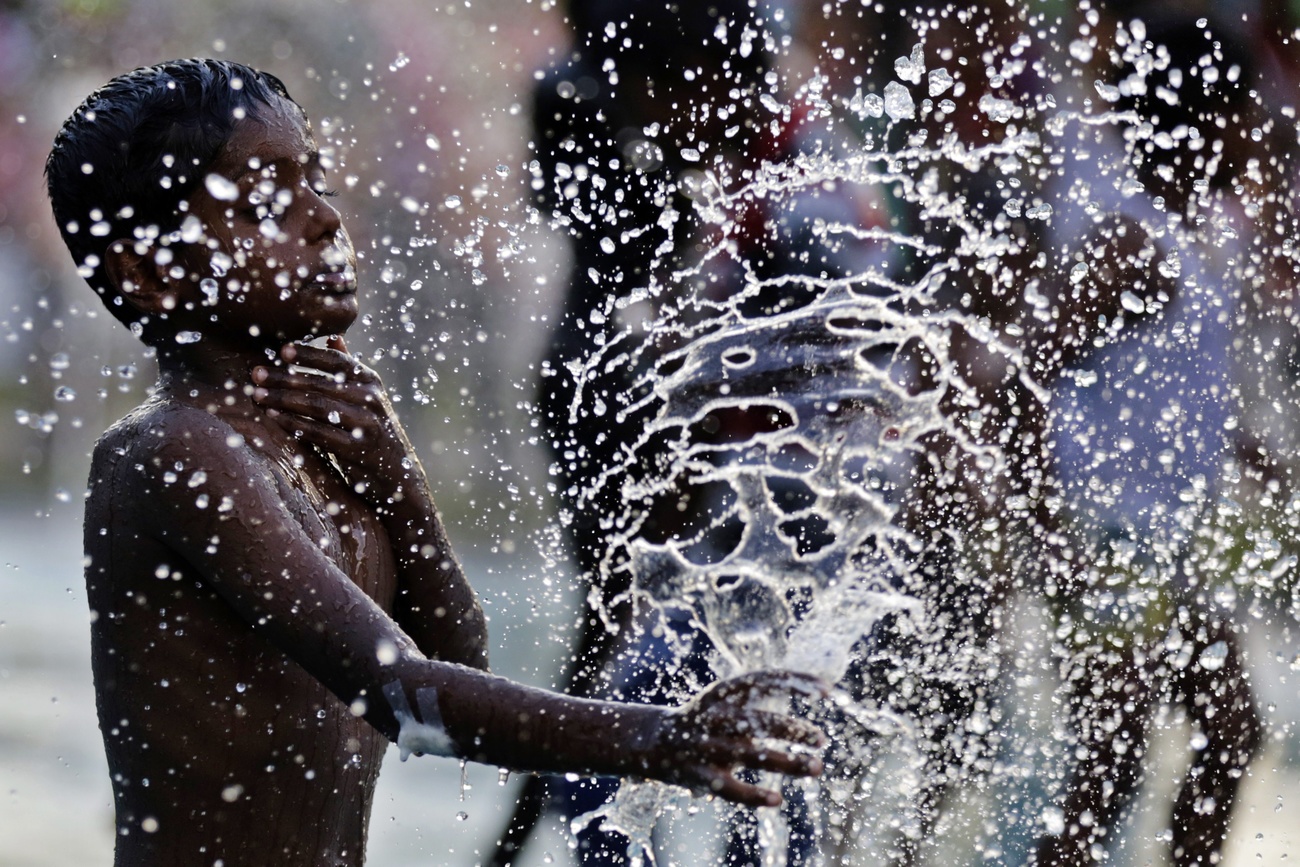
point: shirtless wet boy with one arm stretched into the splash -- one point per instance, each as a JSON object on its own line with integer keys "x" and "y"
{"x": 274, "y": 593}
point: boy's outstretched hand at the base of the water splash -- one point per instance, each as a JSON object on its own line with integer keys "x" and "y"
{"x": 703, "y": 744}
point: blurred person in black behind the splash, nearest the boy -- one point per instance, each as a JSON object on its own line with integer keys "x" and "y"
{"x": 652, "y": 96}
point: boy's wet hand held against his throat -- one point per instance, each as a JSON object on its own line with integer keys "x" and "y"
{"x": 346, "y": 413}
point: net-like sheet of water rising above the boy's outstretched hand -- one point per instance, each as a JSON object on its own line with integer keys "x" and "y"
{"x": 820, "y": 558}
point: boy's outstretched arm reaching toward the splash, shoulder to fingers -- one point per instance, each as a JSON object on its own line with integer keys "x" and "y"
{"x": 254, "y": 553}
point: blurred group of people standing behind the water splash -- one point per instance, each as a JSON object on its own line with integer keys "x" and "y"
{"x": 1094, "y": 203}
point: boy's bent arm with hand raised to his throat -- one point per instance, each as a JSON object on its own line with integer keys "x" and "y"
{"x": 436, "y": 604}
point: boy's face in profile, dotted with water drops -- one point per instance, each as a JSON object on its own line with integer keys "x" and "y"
{"x": 275, "y": 262}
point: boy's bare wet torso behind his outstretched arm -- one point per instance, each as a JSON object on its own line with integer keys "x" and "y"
{"x": 215, "y": 738}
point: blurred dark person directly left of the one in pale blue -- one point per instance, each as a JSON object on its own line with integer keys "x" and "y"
{"x": 976, "y": 500}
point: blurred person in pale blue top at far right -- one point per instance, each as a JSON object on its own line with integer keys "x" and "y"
{"x": 1141, "y": 435}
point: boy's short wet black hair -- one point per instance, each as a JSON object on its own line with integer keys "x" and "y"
{"x": 131, "y": 155}
